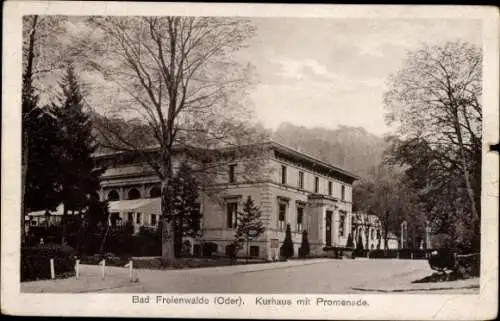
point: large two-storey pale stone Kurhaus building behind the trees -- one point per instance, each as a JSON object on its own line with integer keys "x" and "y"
{"x": 290, "y": 187}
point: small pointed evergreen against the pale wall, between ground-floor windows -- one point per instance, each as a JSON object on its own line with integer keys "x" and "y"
{"x": 249, "y": 225}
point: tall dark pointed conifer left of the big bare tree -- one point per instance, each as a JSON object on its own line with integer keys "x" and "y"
{"x": 80, "y": 179}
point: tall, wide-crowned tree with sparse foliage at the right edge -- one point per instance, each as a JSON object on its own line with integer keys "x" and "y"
{"x": 435, "y": 100}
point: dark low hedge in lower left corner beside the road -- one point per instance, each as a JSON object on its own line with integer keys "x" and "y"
{"x": 35, "y": 261}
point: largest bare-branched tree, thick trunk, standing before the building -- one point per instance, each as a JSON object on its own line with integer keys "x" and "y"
{"x": 177, "y": 77}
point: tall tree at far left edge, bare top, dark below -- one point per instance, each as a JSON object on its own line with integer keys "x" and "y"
{"x": 44, "y": 54}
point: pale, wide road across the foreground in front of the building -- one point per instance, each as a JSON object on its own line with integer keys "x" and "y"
{"x": 310, "y": 276}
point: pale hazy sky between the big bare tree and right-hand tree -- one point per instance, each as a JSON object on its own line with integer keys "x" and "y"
{"x": 329, "y": 72}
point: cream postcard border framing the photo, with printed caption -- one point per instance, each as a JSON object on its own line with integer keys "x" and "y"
{"x": 457, "y": 307}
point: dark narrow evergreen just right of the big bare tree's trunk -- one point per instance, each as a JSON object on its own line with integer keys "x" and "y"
{"x": 185, "y": 205}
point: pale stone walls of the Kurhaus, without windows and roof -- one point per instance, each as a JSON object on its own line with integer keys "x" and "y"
{"x": 266, "y": 190}
